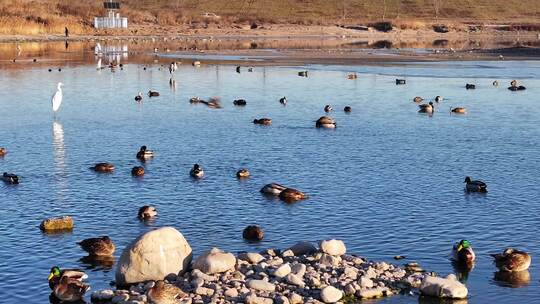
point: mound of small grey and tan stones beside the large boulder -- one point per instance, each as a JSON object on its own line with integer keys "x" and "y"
{"x": 303, "y": 273}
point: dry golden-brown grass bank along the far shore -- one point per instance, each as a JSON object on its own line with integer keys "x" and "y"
{"x": 31, "y": 17}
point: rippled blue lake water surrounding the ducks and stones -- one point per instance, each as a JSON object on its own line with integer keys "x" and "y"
{"x": 387, "y": 181}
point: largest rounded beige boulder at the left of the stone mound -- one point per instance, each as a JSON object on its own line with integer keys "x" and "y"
{"x": 153, "y": 256}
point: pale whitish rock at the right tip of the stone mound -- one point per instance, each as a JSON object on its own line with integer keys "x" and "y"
{"x": 448, "y": 287}
